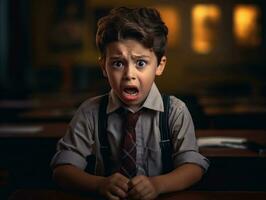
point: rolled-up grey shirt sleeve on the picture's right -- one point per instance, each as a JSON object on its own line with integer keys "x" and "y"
{"x": 185, "y": 149}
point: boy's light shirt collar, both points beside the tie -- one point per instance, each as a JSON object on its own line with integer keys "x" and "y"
{"x": 153, "y": 101}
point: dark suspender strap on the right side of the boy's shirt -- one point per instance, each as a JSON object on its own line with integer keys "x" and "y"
{"x": 166, "y": 145}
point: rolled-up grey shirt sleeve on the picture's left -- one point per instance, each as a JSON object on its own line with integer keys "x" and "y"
{"x": 78, "y": 143}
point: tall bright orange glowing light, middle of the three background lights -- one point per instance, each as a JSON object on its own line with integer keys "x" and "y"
{"x": 205, "y": 19}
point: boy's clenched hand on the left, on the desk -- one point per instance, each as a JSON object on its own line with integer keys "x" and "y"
{"x": 114, "y": 187}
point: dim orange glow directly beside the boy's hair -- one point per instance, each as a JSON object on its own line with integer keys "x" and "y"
{"x": 172, "y": 20}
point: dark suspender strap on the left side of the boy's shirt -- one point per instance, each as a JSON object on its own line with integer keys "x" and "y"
{"x": 102, "y": 130}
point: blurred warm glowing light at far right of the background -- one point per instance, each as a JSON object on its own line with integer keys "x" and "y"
{"x": 246, "y": 25}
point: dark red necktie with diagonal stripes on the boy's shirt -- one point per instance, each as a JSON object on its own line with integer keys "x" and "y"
{"x": 128, "y": 146}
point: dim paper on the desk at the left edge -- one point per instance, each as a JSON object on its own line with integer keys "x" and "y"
{"x": 20, "y": 129}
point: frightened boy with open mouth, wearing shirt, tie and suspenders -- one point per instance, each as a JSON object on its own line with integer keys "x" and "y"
{"x": 132, "y": 44}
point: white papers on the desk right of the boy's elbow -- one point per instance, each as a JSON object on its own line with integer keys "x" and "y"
{"x": 219, "y": 141}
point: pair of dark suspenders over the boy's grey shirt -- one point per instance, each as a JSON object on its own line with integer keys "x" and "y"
{"x": 166, "y": 145}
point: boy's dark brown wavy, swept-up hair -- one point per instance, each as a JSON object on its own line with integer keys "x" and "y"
{"x": 142, "y": 24}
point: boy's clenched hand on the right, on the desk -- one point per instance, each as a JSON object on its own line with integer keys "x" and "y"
{"x": 141, "y": 187}
